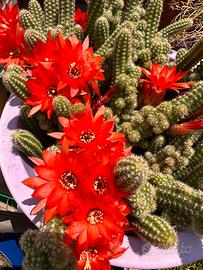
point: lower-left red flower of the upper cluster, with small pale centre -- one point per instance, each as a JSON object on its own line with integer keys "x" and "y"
{"x": 43, "y": 88}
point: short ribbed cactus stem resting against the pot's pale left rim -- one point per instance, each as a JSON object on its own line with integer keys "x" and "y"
{"x": 27, "y": 143}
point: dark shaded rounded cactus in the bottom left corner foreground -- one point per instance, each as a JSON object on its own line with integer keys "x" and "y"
{"x": 44, "y": 251}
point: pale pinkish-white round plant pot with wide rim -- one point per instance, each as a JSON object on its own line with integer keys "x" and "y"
{"x": 139, "y": 254}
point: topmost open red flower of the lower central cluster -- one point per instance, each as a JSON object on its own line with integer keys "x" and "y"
{"x": 94, "y": 136}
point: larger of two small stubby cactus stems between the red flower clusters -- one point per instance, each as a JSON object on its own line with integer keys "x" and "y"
{"x": 62, "y": 106}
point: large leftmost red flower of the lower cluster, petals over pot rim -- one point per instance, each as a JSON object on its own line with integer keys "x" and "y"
{"x": 57, "y": 184}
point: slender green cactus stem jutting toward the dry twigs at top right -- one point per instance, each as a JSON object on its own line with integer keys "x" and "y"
{"x": 176, "y": 27}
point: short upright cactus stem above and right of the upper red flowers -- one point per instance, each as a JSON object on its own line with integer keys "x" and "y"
{"x": 101, "y": 31}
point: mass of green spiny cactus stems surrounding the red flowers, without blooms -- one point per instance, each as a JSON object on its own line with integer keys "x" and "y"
{"x": 167, "y": 177}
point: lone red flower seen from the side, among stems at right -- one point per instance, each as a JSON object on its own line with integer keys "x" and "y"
{"x": 160, "y": 78}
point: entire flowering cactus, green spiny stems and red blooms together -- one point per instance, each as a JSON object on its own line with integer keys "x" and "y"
{"x": 111, "y": 125}
